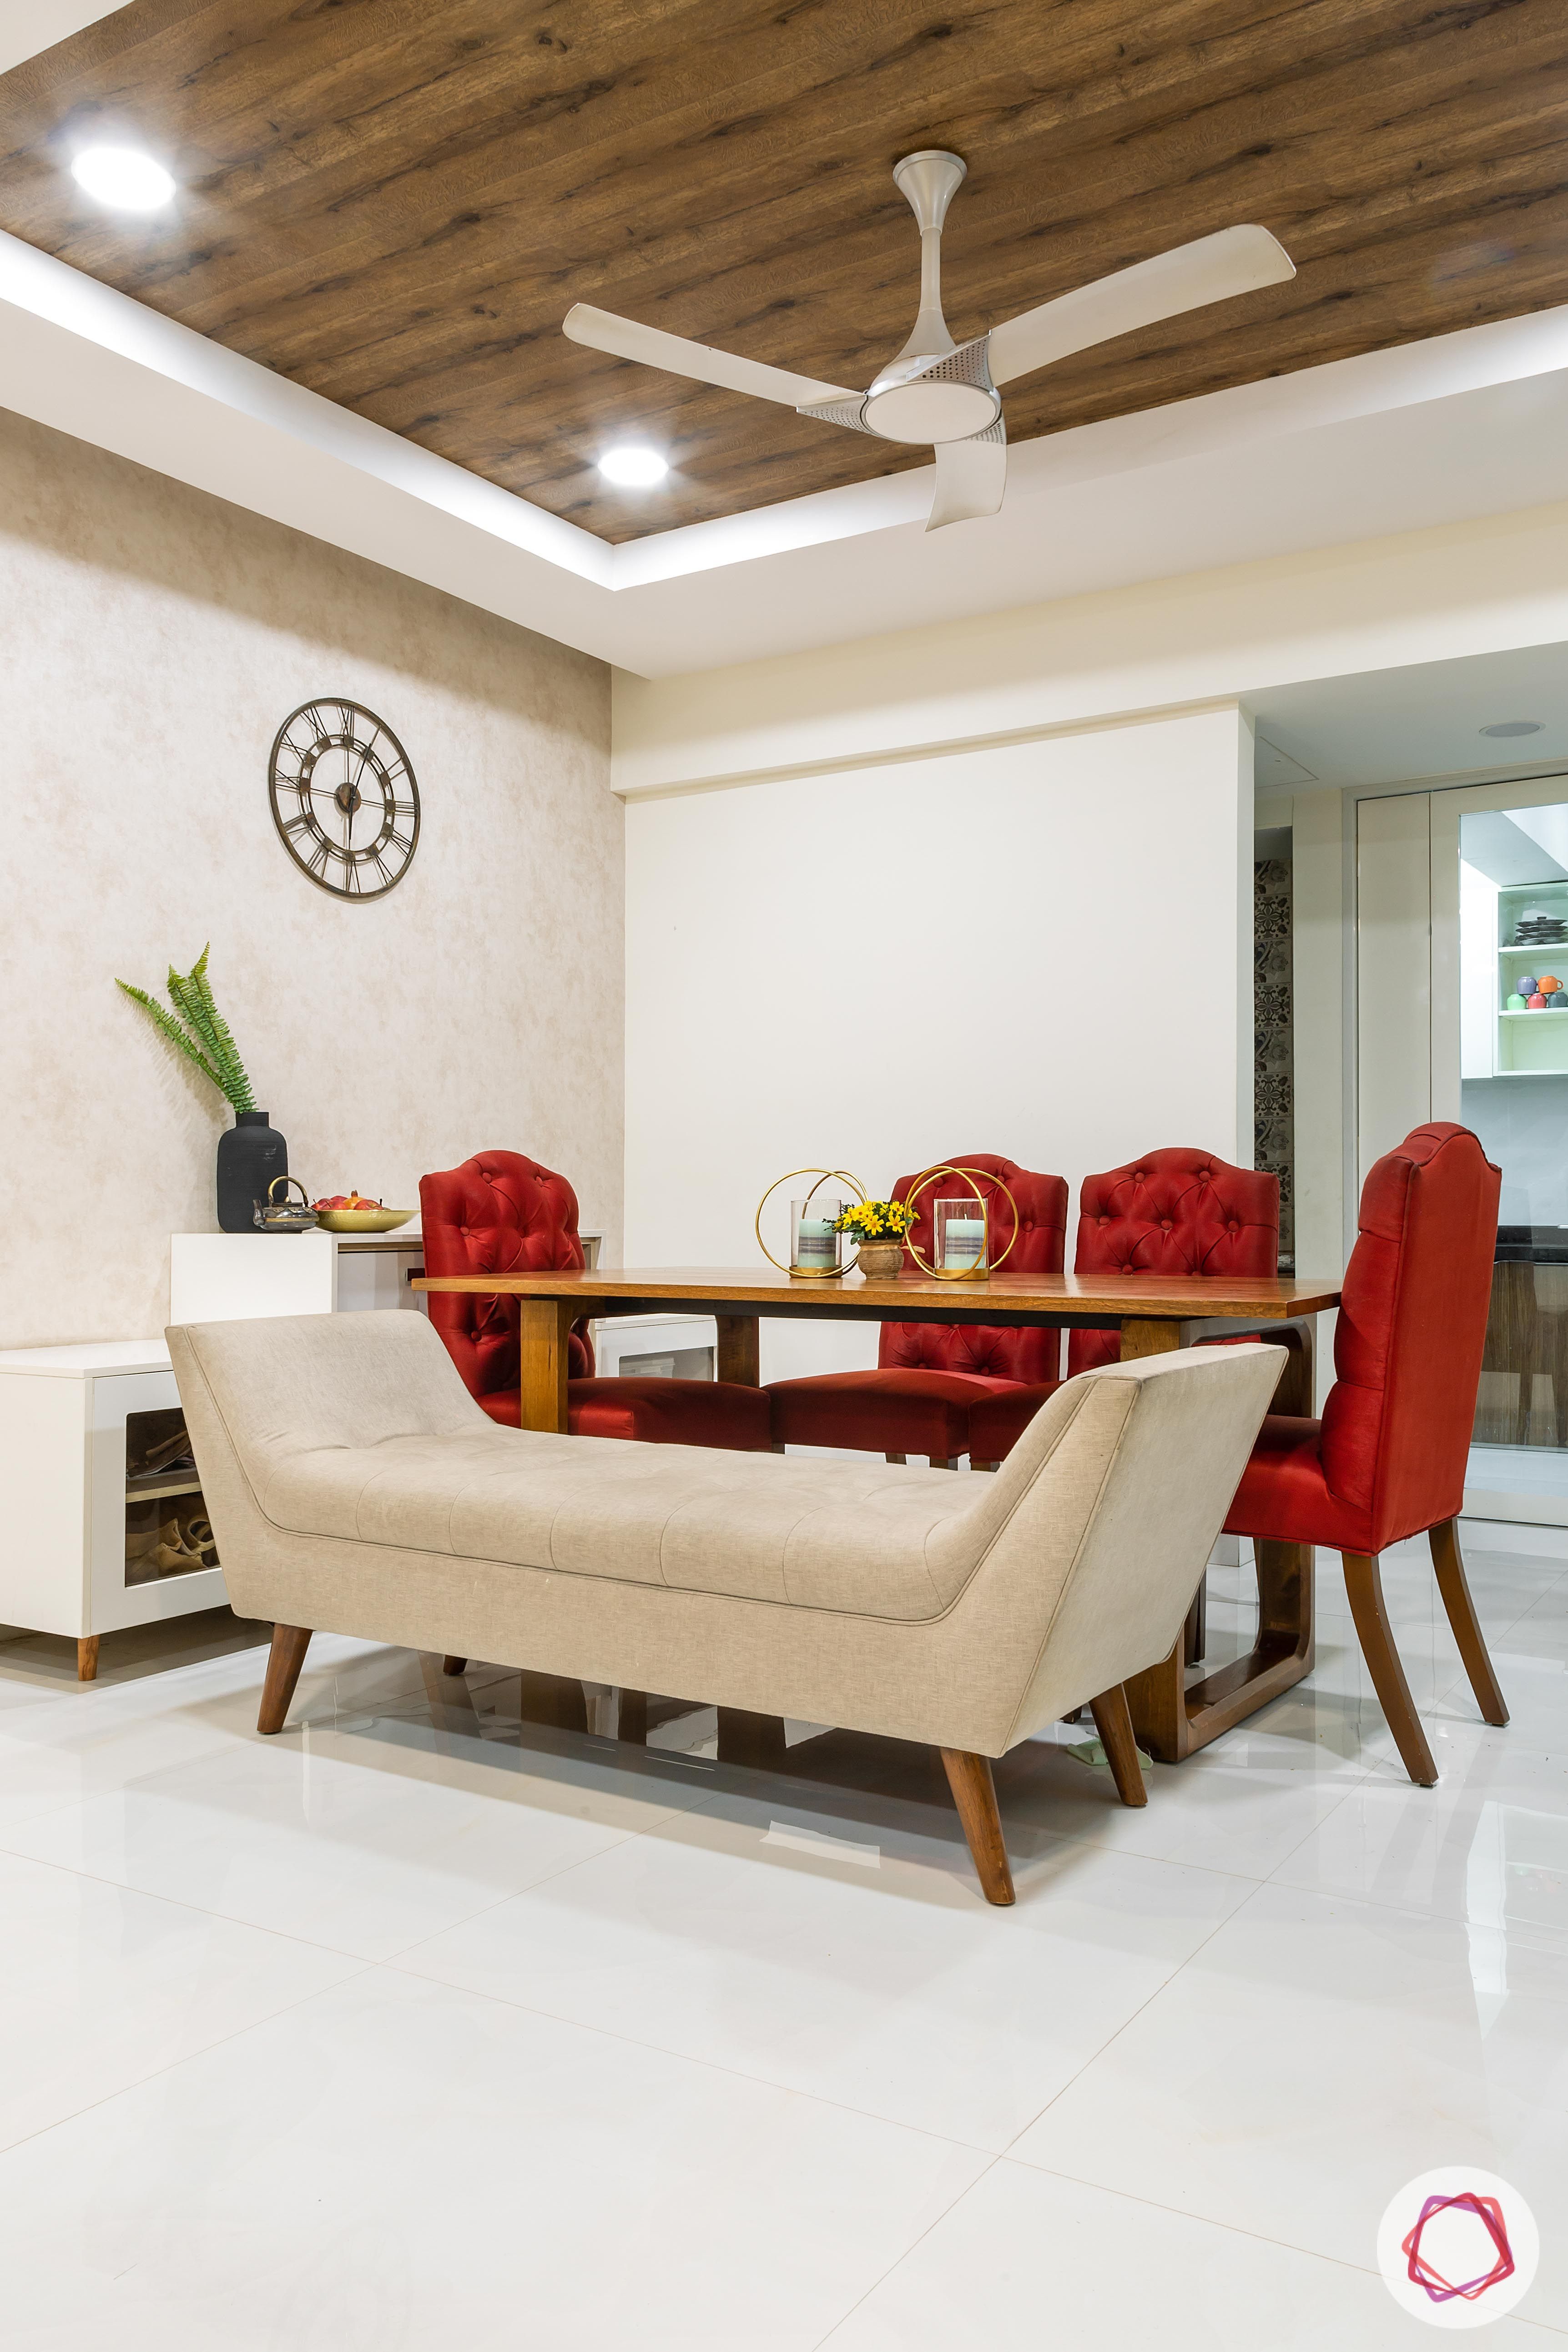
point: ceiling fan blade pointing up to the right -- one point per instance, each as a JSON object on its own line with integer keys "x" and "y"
{"x": 1186, "y": 279}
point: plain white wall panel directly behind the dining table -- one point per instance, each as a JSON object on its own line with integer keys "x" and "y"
{"x": 1040, "y": 949}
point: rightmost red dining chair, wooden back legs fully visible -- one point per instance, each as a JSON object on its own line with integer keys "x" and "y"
{"x": 1388, "y": 1457}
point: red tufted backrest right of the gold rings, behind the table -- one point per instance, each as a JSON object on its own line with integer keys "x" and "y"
{"x": 1174, "y": 1212}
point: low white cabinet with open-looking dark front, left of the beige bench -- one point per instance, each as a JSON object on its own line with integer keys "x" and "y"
{"x": 95, "y": 1539}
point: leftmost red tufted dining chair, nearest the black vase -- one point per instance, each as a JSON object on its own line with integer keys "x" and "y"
{"x": 509, "y": 1215}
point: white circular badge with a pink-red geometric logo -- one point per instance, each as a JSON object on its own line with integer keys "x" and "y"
{"x": 1459, "y": 2247}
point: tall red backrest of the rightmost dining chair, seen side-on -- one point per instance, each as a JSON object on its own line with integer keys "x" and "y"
{"x": 1407, "y": 1349}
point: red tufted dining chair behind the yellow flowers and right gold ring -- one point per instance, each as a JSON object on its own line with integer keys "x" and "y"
{"x": 930, "y": 1377}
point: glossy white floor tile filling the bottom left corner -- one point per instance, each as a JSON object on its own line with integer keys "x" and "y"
{"x": 406, "y": 2165}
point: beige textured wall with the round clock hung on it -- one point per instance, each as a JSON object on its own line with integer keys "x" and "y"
{"x": 152, "y": 641}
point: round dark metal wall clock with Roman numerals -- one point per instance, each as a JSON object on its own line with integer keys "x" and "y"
{"x": 344, "y": 799}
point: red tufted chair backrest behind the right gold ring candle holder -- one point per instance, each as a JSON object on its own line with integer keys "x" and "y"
{"x": 1043, "y": 1238}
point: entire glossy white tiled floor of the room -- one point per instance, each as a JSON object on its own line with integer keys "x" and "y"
{"x": 429, "y": 2022}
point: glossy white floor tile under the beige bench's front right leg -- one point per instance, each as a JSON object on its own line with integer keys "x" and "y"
{"x": 847, "y": 1958}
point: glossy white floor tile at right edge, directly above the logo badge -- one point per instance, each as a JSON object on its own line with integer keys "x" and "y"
{"x": 1315, "y": 2057}
